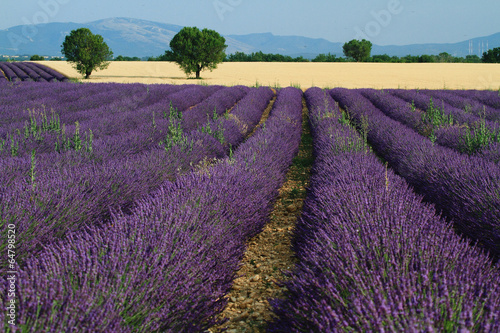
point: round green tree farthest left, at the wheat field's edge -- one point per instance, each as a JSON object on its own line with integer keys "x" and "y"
{"x": 87, "y": 52}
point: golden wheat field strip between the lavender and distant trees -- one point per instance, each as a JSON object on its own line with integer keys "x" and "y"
{"x": 305, "y": 75}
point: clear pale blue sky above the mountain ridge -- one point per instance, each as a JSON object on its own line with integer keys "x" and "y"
{"x": 383, "y": 22}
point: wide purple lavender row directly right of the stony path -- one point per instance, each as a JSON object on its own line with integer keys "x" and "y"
{"x": 373, "y": 256}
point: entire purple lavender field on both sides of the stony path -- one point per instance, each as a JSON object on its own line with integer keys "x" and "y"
{"x": 131, "y": 205}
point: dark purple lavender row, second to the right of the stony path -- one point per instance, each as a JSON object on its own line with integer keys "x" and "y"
{"x": 465, "y": 188}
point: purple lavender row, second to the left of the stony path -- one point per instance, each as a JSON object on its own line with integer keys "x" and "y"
{"x": 117, "y": 171}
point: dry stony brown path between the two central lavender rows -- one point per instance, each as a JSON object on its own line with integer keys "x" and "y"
{"x": 269, "y": 254}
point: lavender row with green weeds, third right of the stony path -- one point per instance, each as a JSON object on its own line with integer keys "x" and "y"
{"x": 456, "y": 136}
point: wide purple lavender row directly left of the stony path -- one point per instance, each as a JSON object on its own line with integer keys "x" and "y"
{"x": 168, "y": 264}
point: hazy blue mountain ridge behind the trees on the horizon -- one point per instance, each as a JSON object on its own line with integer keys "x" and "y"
{"x": 143, "y": 38}
